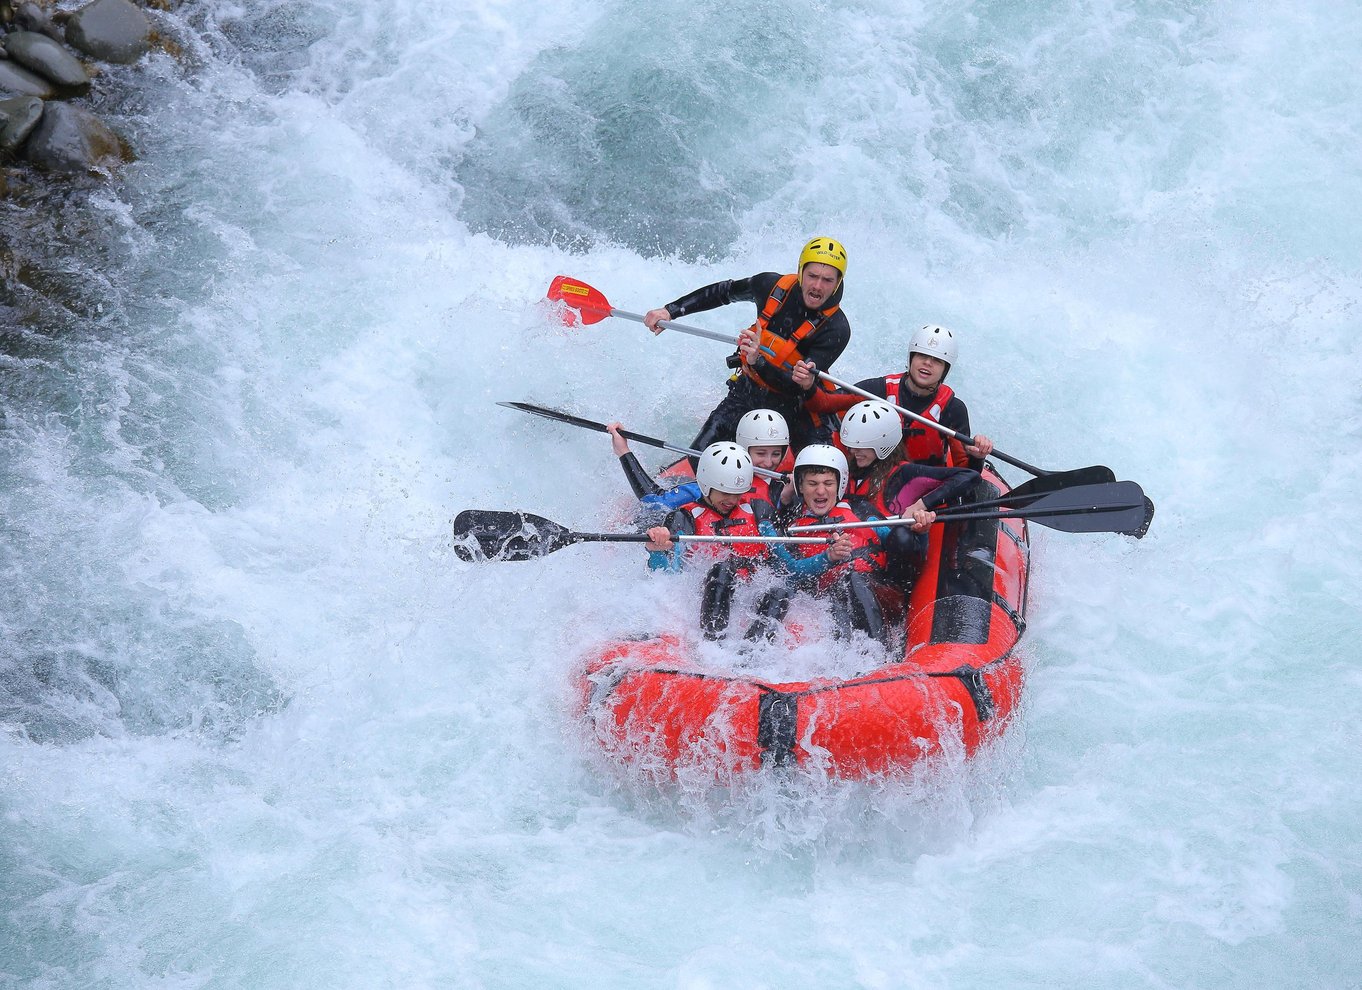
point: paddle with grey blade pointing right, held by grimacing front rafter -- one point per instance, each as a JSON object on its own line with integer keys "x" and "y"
{"x": 1115, "y": 507}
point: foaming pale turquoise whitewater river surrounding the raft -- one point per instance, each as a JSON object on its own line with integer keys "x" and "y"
{"x": 261, "y": 728}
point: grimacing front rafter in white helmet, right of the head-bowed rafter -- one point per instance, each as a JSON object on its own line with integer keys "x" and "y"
{"x": 841, "y": 571}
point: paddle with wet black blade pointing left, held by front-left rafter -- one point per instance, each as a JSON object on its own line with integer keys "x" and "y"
{"x": 524, "y": 536}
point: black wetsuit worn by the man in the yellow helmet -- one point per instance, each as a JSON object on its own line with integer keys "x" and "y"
{"x": 785, "y": 397}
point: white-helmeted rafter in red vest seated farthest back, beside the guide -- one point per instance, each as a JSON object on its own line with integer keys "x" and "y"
{"x": 921, "y": 389}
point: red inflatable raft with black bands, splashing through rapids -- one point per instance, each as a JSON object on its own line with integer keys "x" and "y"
{"x": 958, "y": 683}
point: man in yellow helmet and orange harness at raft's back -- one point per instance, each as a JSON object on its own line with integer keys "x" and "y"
{"x": 800, "y": 325}
